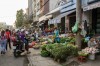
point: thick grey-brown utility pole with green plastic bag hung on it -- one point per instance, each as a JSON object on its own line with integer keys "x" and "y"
{"x": 79, "y": 20}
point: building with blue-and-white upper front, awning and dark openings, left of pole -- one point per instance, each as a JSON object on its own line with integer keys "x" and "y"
{"x": 64, "y": 16}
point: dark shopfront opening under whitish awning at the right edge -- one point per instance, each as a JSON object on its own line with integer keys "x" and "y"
{"x": 94, "y": 7}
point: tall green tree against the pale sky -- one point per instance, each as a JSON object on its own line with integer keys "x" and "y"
{"x": 19, "y": 18}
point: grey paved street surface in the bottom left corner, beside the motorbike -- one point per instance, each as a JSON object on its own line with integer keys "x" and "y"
{"x": 9, "y": 60}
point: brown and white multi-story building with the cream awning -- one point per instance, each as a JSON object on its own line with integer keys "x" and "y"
{"x": 48, "y": 10}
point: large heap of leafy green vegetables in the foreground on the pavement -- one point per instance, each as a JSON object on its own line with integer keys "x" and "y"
{"x": 59, "y": 51}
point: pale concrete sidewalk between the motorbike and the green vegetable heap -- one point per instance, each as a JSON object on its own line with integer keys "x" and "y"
{"x": 35, "y": 59}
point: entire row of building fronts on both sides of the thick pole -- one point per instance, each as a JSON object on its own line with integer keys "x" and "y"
{"x": 62, "y": 13}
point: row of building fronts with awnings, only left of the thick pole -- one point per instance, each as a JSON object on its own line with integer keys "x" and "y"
{"x": 59, "y": 13}
